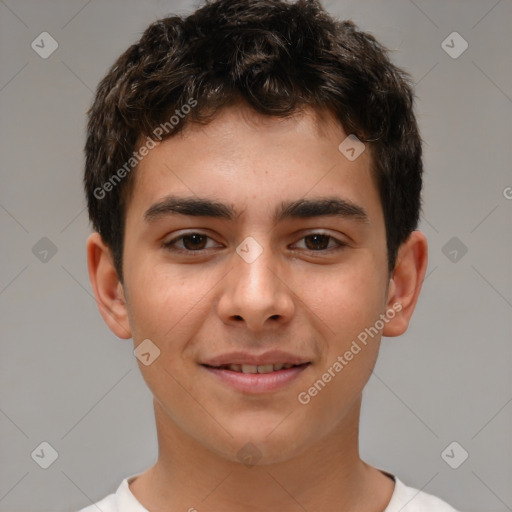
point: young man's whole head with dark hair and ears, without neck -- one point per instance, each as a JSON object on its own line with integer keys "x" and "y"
{"x": 245, "y": 103}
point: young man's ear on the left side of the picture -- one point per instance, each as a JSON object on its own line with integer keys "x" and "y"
{"x": 107, "y": 288}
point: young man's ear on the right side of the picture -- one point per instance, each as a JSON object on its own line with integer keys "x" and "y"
{"x": 406, "y": 281}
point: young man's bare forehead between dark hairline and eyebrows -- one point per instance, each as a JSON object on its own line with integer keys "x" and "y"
{"x": 250, "y": 159}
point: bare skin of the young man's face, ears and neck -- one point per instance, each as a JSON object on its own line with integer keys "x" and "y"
{"x": 310, "y": 303}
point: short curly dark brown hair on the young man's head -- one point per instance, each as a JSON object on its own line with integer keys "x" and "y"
{"x": 279, "y": 58}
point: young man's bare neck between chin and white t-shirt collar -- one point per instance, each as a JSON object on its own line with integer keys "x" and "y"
{"x": 326, "y": 476}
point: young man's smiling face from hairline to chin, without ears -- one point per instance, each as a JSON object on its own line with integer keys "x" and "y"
{"x": 265, "y": 272}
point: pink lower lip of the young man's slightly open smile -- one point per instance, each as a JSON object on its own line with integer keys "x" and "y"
{"x": 258, "y": 382}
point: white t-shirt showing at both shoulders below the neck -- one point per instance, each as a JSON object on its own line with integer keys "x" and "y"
{"x": 404, "y": 499}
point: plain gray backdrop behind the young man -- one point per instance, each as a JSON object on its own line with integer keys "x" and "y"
{"x": 65, "y": 379}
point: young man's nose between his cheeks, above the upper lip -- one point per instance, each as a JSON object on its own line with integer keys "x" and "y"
{"x": 257, "y": 293}
